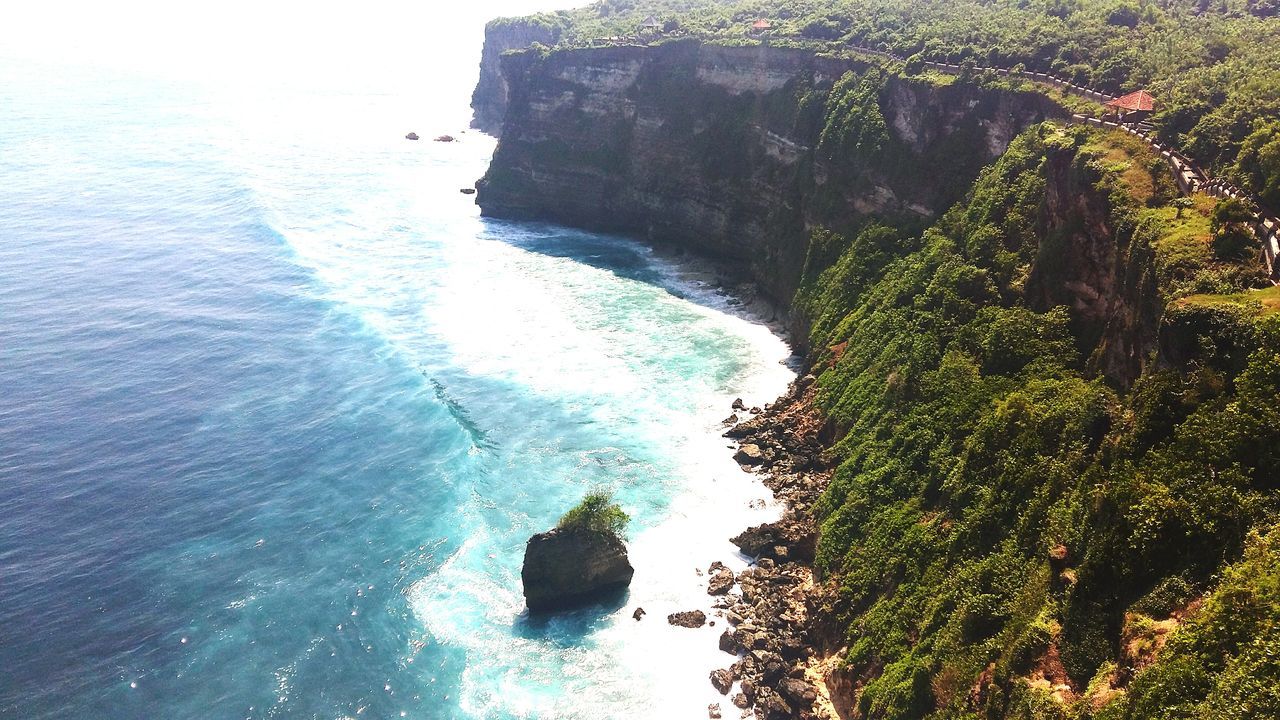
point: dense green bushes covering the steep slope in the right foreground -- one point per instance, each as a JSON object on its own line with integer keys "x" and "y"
{"x": 999, "y": 503}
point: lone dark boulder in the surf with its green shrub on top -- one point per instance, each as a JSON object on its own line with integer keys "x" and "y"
{"x": 579, "y": 562}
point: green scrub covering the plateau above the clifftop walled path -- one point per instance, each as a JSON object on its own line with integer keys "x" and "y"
{"x": 1213, "y": 65}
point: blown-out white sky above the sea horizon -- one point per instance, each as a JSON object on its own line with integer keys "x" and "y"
{"x": 380, "y": 42}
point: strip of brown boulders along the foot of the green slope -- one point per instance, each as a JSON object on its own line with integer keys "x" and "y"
{"x": 778, "y": 610}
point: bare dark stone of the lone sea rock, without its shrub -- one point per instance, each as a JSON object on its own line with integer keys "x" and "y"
{"x": 569, "y": 568}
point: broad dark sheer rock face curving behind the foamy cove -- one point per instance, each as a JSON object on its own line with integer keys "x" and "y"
{"x": 723, "y": 149}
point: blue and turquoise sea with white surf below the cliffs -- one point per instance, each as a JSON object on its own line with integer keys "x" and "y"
{"x": 278, "y": 412}
